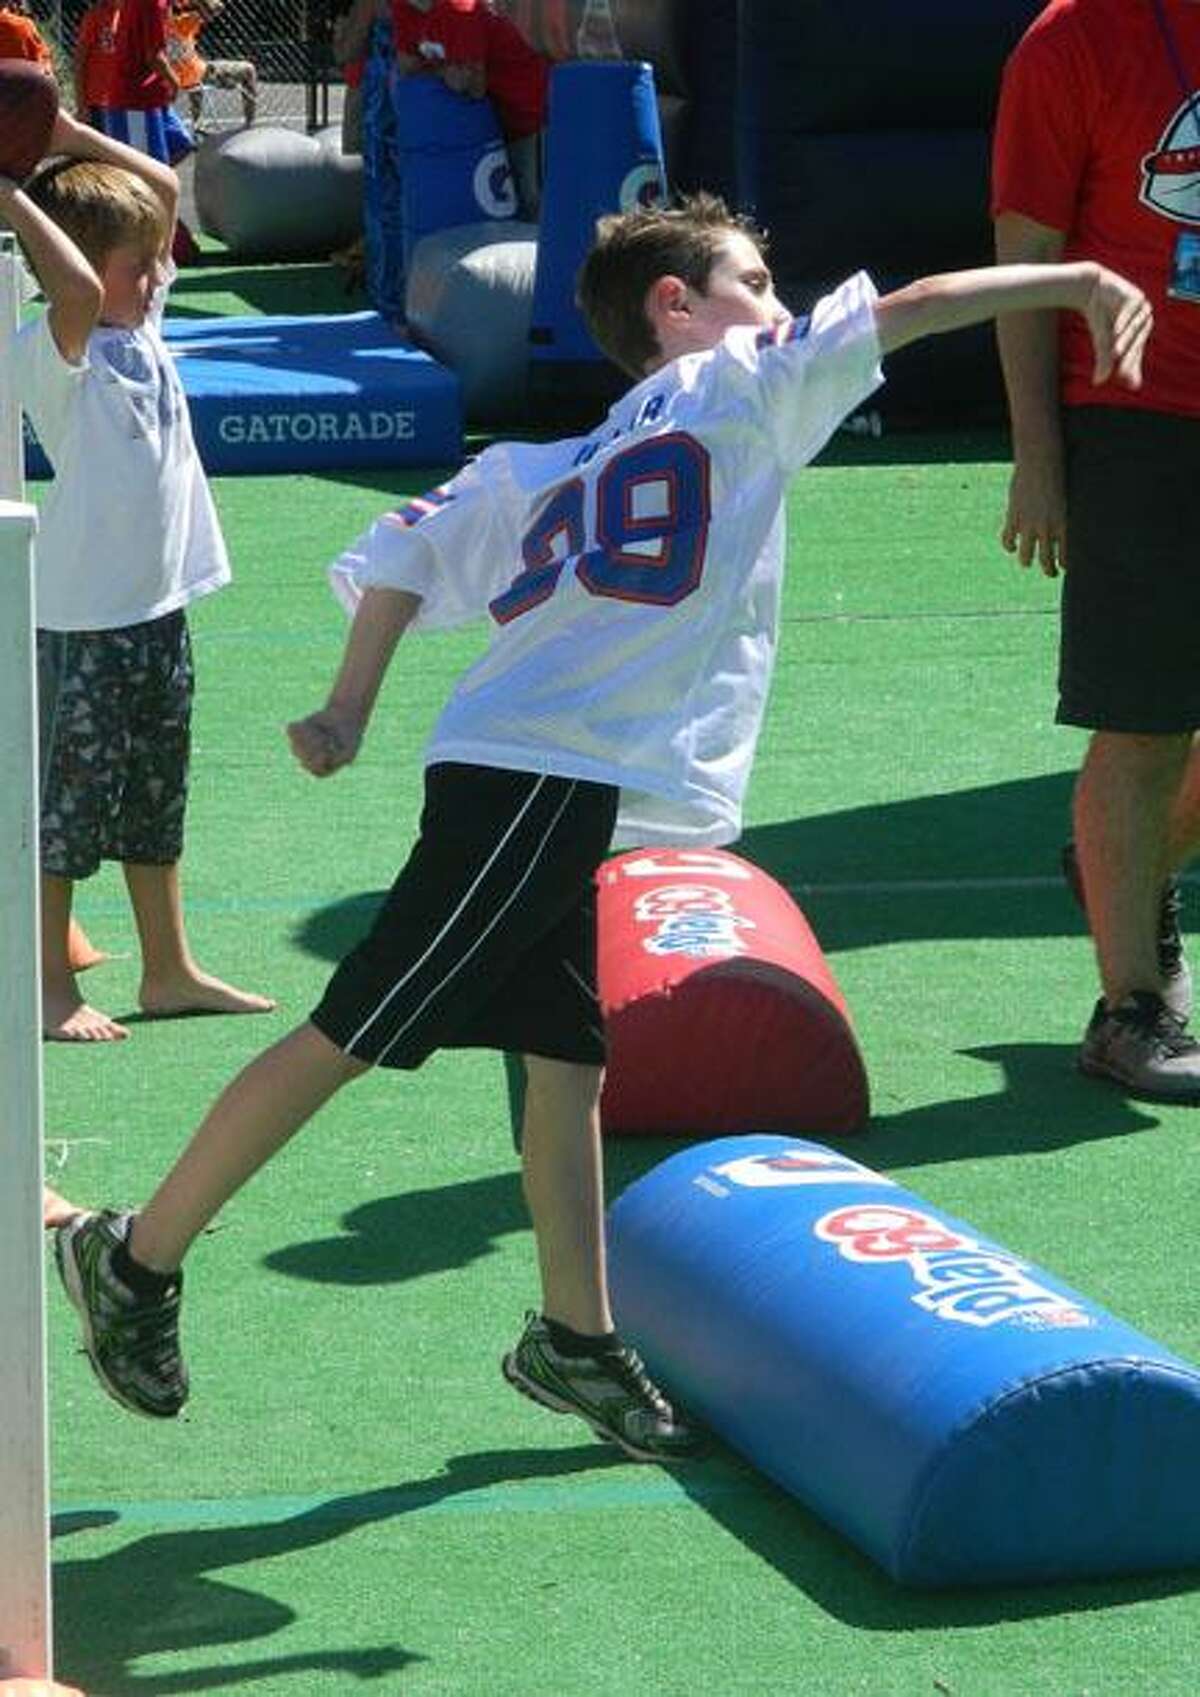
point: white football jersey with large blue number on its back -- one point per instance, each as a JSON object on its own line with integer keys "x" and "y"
{"x": 637, "y": 646}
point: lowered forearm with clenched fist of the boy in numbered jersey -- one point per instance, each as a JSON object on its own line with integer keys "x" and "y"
{"x": 330, "y": 737}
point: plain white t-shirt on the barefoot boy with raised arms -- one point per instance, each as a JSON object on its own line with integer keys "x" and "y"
{"x": 128, "y": 530}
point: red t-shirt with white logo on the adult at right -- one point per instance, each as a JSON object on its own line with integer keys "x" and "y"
{"x": 1099, "y": 138}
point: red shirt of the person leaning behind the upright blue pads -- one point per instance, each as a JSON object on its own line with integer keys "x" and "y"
{"x": 466, "y": 33}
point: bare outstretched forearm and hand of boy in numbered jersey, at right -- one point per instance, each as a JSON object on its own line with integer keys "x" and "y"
{"x": 1119, "y": 315}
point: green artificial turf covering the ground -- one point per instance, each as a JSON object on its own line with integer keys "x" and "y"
{"x": 356, "y": 1499}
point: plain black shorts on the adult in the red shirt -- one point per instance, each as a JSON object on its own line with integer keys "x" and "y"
{"x": 1131, "y": 595}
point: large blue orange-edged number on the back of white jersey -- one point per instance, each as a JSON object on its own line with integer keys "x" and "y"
{"x": 651, "y": 525}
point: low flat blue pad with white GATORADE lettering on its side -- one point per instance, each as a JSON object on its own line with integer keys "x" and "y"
{"x": 308, "y": 395}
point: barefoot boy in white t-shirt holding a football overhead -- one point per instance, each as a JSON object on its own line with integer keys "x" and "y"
{"x": 128, "y": 540}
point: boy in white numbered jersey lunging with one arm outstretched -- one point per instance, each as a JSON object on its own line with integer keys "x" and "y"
{"x": 634, "y": 583}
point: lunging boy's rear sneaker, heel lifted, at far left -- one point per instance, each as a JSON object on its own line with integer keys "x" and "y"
{"x": 132, "y": 1341}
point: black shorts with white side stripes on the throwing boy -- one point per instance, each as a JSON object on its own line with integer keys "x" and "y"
{"x": 488, "y": 938}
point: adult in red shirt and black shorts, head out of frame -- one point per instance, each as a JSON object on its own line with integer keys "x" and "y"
{"x": 1097, "y": 155}
